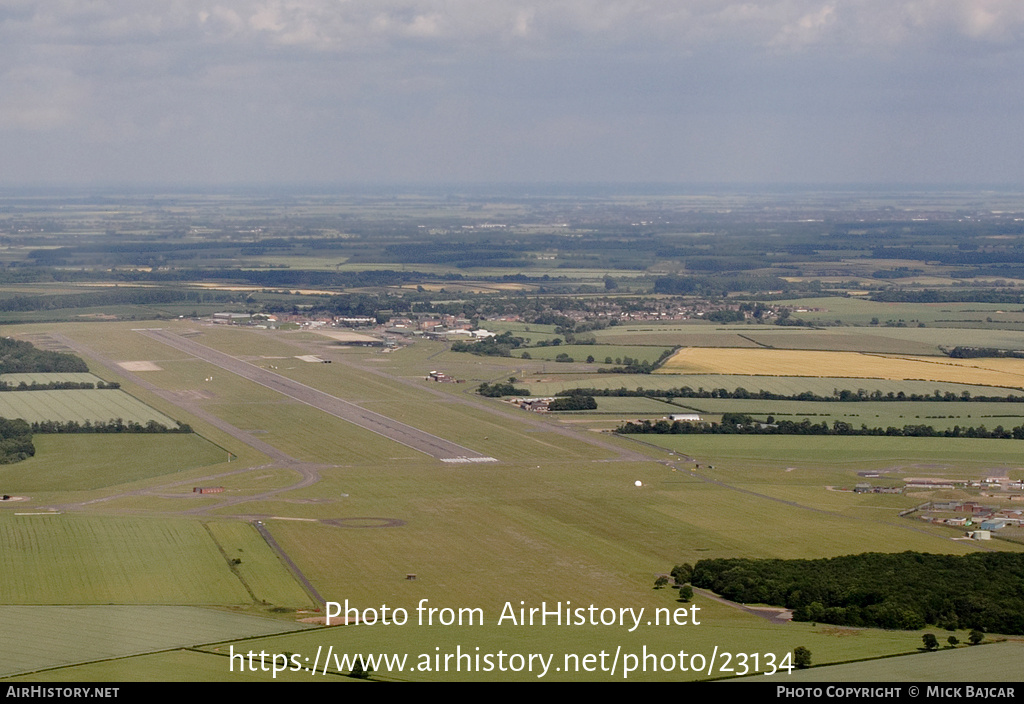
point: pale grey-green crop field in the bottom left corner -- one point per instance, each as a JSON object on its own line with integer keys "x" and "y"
{"x": 38, "y": 638}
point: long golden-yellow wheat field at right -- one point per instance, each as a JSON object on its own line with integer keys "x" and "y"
{"x": 1003, "y": 372}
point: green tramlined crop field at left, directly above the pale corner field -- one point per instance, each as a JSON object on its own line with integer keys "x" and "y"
{"x": 69, "y": 559}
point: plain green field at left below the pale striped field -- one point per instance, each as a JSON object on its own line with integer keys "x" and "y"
{"x": 106, "y": 460}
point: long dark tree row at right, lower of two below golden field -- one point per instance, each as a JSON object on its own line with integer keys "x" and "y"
{"x": 742, "y": 424}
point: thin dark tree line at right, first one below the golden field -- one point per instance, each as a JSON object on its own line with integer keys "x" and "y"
{"x": 844, "y": 395}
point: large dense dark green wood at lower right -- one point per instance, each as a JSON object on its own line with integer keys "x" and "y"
{"x": 906, "y": 591}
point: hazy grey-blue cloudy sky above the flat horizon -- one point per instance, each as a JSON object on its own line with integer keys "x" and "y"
{"x": 265, "y": 93}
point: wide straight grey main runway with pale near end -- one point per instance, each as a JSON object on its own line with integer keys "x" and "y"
{"x": 390, "y": 428}
